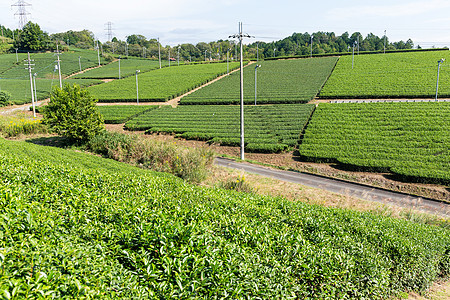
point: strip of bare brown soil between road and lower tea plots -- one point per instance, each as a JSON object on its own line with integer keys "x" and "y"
{"x": 290, "y": 161}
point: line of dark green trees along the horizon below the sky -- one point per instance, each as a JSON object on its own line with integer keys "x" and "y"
{"x": 32, "y": 38}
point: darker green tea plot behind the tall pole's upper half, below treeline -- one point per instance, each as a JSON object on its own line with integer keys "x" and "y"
{"x": 283, "y": 81}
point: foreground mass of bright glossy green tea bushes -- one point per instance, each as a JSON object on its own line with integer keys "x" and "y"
{"x": 75, "y": 231}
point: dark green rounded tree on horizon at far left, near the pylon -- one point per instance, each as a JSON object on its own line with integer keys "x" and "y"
{"x": 32, "y": 38}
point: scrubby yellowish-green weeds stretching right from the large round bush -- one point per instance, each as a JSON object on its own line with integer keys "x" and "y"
{"x": 190, "y": 164}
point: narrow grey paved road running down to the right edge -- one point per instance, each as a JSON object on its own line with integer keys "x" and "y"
{"x": 345, "y": 188}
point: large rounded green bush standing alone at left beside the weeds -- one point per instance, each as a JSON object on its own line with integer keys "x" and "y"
{"x": 72, "y": 113}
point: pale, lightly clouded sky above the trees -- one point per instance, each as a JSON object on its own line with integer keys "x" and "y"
{"x": 426, "y": 22}
